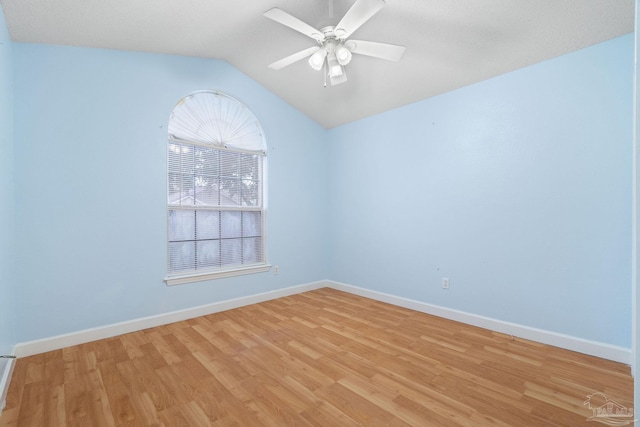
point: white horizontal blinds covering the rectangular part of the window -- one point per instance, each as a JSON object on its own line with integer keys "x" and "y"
{"x": 215, "y": 208}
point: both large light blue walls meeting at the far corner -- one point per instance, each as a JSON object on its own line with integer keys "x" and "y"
{"x": 517, "y": 189}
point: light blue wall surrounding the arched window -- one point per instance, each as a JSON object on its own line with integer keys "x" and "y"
{"x": 90, "y": 163}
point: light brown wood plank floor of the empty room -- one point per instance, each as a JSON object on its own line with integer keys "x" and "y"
{"x": 321, "y": 358}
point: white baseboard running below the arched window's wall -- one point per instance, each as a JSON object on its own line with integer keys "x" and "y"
{"x": 57, "y": 342}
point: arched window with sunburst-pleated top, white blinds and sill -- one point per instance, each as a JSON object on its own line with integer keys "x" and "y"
{"x": 215, "y": 189}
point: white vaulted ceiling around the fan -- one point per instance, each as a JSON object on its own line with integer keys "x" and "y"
{"x": 450, "y": 43}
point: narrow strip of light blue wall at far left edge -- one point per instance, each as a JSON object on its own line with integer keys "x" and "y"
{"x": 7, "y": 281}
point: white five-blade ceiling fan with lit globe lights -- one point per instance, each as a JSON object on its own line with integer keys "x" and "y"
{"x": 334, "y": 49}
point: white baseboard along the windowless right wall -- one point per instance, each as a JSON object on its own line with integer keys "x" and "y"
{"x": 593, "y": 348}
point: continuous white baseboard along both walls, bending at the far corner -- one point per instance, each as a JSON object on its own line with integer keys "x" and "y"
{"x": 603, "y": 350}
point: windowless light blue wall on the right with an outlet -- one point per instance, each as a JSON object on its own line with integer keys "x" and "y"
{"x": 518, "y": 189}
